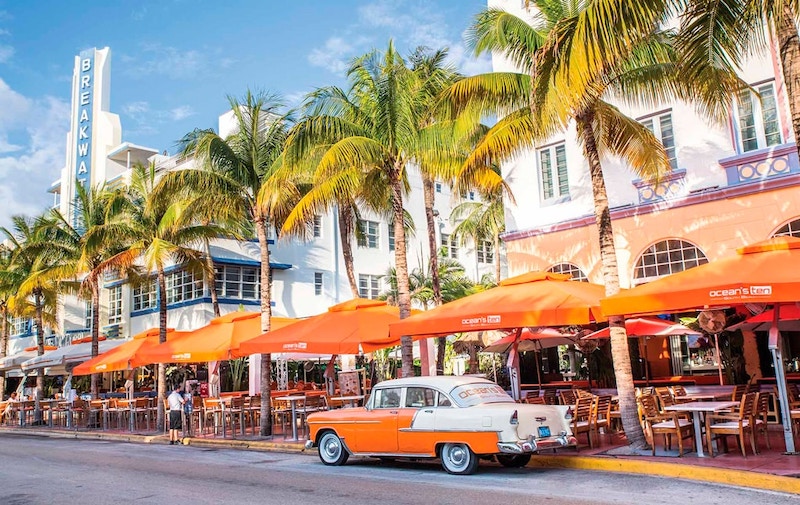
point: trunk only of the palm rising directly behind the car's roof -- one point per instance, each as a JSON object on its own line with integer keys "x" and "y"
{"x": 401, "y": 265}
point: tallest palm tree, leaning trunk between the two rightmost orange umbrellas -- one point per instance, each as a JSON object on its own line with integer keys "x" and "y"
{"x": 575, "y": 56}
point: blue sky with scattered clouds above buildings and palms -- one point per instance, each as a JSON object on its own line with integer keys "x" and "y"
{"x": 175, "y": 62}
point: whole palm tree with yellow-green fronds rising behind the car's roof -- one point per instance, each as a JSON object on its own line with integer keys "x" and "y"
{"x": 370, "y": 132}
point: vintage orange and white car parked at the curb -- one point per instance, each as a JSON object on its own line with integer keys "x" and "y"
{"x": 457, "y": 419}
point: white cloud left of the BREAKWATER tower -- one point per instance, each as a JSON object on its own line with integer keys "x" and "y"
{"x": 40, "y": 126}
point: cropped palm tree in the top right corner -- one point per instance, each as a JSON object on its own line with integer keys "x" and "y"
{"x": 722, "y": 33}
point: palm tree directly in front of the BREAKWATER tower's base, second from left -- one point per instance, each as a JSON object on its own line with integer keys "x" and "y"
{"x": 84, "y": 248}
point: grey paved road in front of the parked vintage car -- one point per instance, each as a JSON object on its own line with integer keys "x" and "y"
{"x": 36, "y": 470}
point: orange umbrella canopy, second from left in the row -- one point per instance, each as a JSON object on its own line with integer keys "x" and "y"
{"x": 219, "y": 340}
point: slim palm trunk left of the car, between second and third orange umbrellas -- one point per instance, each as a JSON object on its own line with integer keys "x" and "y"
{"x": 266, "y": 316}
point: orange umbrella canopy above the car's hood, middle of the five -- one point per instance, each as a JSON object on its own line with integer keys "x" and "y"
{"x": 347, "y": 328}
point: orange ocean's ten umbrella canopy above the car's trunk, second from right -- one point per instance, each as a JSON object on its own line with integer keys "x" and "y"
{"x": 528, "y": 300}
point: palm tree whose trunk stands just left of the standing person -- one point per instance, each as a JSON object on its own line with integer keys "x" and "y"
{"x": 157, "y": 230}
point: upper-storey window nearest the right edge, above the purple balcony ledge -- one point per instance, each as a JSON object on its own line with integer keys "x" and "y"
{"x": 758, "y": 118}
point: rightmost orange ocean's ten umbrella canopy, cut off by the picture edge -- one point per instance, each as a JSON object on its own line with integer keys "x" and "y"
{"x": 766, "y": 272}
